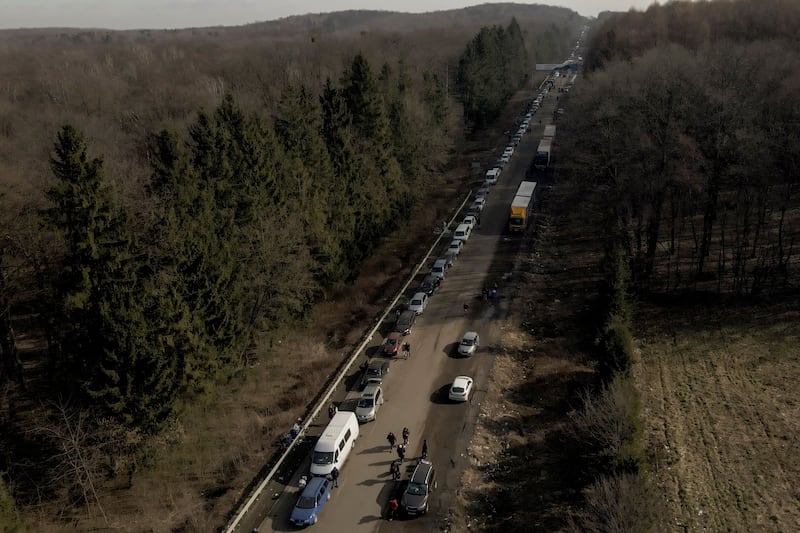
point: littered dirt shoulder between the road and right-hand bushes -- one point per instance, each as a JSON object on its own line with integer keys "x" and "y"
{"x": 520, "y": 478}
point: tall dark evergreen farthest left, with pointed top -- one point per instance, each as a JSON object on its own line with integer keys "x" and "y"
{"x": 108, "y": 345}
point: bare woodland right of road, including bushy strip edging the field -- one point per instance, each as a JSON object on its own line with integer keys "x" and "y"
{"x": 686, "y": 134}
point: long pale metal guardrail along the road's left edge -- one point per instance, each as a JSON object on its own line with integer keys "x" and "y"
{"x": 231, "y": 527}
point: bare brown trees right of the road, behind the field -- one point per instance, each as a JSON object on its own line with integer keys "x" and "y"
{"x": 692, "y": 137}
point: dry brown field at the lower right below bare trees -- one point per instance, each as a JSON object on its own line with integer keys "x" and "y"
{"x": 722, "y": 415}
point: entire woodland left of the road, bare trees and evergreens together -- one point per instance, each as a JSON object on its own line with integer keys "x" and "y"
{"x": 172, "y": 199}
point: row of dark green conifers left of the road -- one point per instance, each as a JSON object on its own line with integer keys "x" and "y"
{"x": 247, "y": 222}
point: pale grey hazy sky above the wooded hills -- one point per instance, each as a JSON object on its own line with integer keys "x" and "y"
{"x": 159, "y": 14}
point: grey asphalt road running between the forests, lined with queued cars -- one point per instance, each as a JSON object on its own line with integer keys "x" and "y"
{"x": 416, "y": 389}
